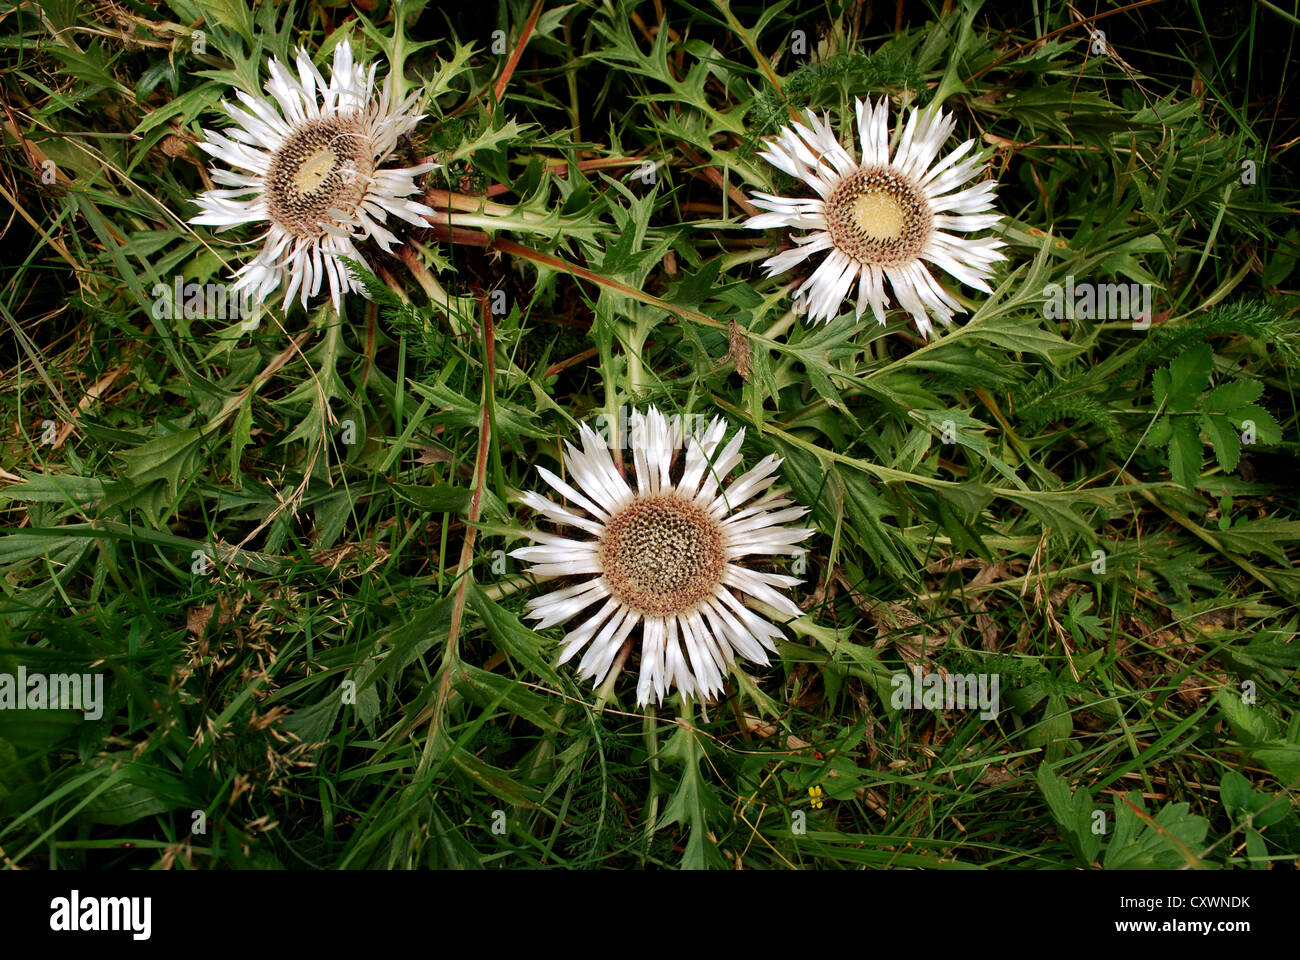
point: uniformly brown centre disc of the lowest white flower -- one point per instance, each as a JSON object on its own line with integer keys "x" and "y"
{"x": 662, "y": 555}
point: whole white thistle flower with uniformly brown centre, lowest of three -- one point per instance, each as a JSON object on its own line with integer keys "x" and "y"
{"x": 664, "y": 555}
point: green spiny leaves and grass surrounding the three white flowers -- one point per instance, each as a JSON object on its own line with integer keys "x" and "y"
{"x": 279, "y": 547}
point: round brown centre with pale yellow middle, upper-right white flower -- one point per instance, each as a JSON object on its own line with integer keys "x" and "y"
{"x": 879, "y": 217}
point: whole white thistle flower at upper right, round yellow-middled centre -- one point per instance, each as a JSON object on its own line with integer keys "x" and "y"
{"x": 882, "y": 218}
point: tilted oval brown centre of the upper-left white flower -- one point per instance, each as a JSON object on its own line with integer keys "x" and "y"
{"x": 323, "y": 166}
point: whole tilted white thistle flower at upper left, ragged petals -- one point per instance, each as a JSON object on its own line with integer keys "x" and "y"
{"x": 309, "y": 163}
